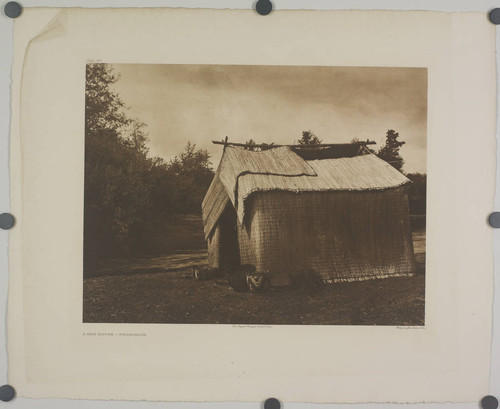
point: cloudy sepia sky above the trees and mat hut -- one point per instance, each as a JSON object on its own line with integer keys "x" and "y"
{"x": 201, "y": 103}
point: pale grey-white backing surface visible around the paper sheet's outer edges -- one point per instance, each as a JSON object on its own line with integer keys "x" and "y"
{"x": 5, "y": 61}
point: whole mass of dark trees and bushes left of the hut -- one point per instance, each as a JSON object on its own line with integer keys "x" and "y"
{"x": 128, "y": 192}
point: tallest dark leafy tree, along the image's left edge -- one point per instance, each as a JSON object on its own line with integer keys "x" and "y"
{"x": 116, "y": 166}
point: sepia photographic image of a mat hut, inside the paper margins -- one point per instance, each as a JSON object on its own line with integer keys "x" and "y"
{"x": 255, "y": 194}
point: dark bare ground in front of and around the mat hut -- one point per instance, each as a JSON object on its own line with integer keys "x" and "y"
{"x": 162, "y": 290}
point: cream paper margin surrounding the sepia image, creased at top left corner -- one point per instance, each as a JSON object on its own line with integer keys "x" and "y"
{"x": 448, "y": 360}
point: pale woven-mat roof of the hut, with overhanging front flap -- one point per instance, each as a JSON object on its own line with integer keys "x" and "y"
{"x": 242, "y": 172}
